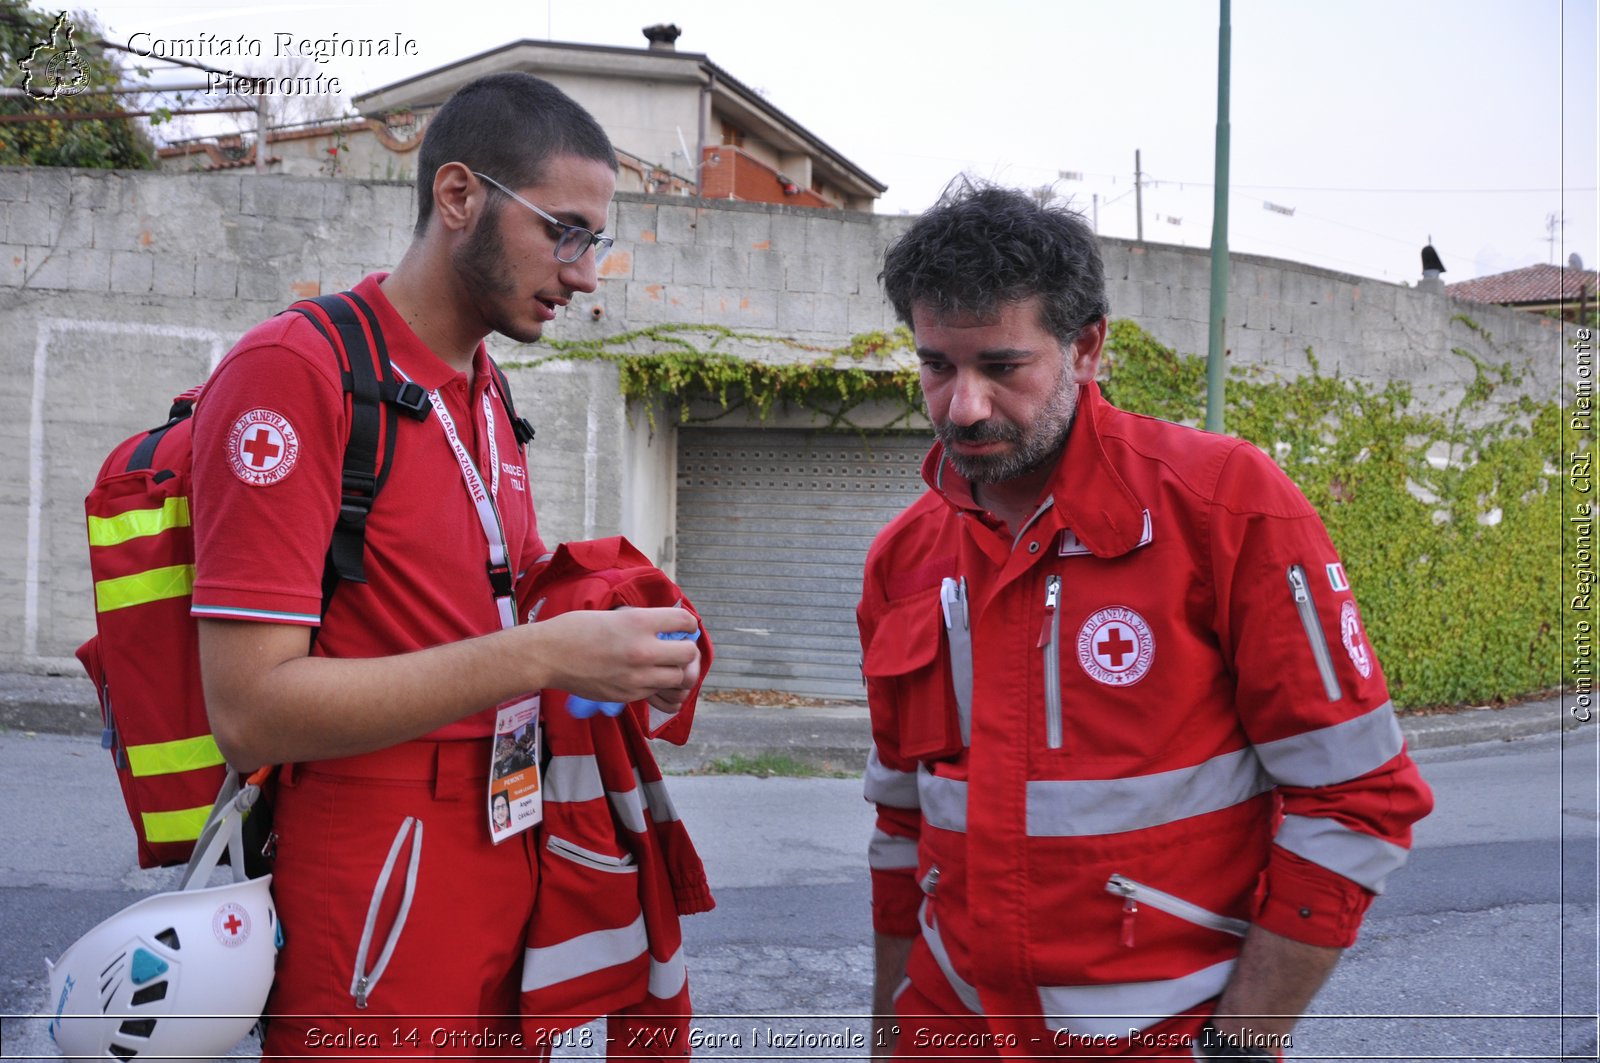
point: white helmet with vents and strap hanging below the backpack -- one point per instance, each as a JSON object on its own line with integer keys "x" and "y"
{"x": 180, "y": 974}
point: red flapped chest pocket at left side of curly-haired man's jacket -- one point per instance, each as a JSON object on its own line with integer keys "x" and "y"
{"x": 908, "y": 667}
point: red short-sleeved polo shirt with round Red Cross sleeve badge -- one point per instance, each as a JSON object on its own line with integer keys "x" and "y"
{"x": 270, "y": 443}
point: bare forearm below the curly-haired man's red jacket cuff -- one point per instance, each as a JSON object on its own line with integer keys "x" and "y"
{"x": 1273, "y": 985}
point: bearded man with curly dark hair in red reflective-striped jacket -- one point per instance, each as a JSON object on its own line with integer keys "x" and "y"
{"x": 1137, "y": 769}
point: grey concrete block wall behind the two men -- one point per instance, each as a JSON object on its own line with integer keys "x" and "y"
{"x": 124, "y": 289}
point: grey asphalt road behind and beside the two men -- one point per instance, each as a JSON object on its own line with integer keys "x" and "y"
{"x": 1482, "y": 949}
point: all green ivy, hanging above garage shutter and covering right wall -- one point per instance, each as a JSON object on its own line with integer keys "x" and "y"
{"x": 1449, "y": 523}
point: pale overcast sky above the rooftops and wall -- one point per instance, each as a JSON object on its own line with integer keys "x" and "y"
{"x": 1380, "y": 124}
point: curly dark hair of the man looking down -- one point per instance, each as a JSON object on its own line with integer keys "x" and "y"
{"x": 983, "y": 246}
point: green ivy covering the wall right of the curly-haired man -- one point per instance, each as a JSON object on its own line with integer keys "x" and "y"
{"x": 1450, "y": 524}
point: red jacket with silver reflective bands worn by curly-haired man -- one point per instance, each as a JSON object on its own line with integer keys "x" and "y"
{"x": 1110, "y": 742}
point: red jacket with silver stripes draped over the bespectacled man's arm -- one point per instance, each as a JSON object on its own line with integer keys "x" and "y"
{"x": 617, "y": 867}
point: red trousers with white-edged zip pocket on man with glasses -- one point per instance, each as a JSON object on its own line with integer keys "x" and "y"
{"x": 452, "y": 985}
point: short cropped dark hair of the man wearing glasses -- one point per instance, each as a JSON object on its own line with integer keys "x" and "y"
{"x": 510, "y": 127}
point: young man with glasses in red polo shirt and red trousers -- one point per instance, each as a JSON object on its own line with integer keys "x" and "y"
{"x": 393, "y": 708}
